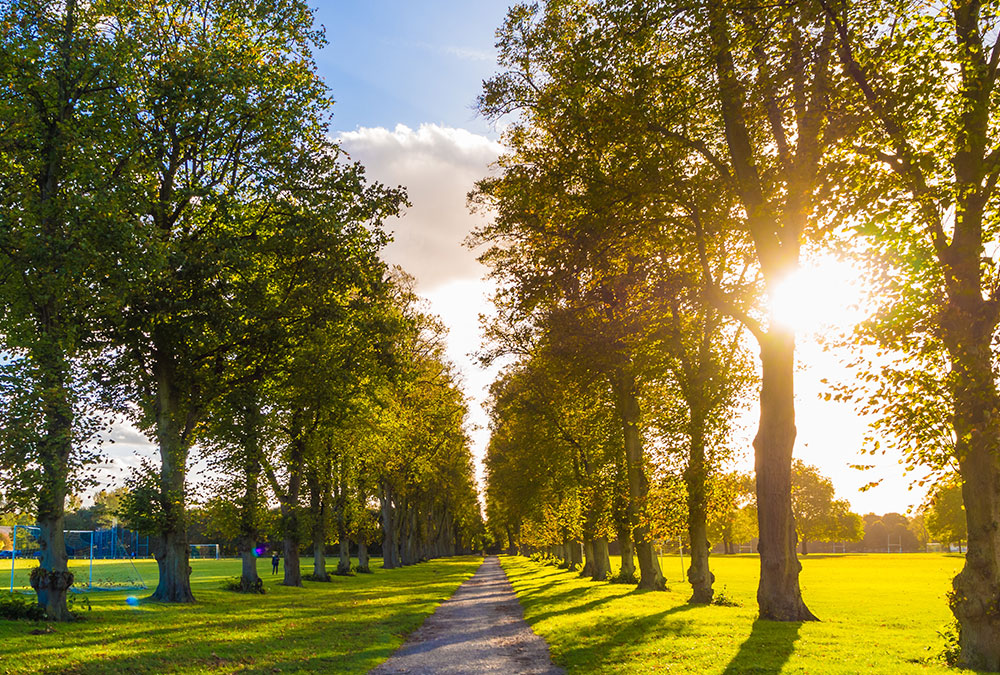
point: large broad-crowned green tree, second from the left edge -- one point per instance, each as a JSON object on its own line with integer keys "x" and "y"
{"x": 234, "y": 166}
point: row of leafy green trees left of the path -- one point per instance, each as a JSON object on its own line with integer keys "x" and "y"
{"x": 182, "y": 244}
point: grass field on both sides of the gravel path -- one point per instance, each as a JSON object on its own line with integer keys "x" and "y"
{"x": 880, "y": 614}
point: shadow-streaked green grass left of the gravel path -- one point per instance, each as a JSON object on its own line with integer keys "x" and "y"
{"x": 349, "y": 625}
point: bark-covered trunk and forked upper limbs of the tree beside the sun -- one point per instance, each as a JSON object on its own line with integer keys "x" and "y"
{"x": 776, "y": 223}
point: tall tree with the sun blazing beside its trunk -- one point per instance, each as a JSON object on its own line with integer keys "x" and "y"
{"x": 768, "y": 105}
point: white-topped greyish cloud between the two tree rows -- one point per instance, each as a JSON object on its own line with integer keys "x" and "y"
{"x": 438, "y": 166}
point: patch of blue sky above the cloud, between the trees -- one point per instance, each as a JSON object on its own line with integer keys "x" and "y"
{"x": 392, "y": 62}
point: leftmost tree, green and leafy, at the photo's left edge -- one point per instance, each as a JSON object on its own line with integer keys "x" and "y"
{"x": 64, "y": 252}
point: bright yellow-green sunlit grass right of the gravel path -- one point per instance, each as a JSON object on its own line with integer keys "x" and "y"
{"x": 879, "y": 614}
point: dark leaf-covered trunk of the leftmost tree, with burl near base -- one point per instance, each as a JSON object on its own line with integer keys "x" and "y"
{"x": 55, "y": 449}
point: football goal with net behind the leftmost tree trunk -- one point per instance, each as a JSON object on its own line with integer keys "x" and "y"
{"x": 89, "y": 574}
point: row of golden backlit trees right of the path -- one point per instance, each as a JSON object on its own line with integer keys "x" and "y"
{"x": 669, "y": 164}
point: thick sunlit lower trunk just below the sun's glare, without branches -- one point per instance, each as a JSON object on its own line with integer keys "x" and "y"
{"x": 778, "y": 594}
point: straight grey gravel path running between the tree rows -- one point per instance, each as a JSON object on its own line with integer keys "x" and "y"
{"x": 479, "y": 629}
